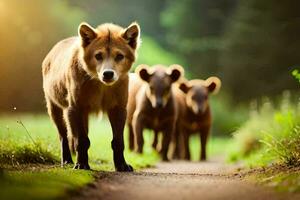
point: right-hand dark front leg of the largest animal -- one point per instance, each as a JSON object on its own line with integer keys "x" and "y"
{"x": 117, "y": 118}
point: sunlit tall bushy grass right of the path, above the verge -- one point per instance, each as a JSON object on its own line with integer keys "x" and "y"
{"x": 270, "y": 136}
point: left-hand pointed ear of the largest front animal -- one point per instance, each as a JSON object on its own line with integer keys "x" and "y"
{"x": 87, "y": 33}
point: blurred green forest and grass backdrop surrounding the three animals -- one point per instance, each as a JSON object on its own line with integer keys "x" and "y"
{"x": 252, "y": 45}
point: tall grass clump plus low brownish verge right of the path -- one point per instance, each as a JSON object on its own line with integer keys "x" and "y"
{"x": 270, "y": 140}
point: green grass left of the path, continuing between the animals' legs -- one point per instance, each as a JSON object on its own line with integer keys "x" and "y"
{"x": 30, "y": 154}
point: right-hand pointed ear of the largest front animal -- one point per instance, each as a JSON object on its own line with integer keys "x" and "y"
{"x": 132, "y": 35}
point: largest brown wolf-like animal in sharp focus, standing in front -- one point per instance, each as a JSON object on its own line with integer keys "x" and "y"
{"x": 89, "y": 73}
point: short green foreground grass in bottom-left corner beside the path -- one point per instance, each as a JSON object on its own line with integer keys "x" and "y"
{"x": 44, "y": 184}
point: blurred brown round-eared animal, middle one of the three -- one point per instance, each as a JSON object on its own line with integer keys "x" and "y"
{"x": 151, "y": 104}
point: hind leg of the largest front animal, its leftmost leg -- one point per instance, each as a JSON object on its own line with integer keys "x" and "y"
{"x": 56, "y": 115}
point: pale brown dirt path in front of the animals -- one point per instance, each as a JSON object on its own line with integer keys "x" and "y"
{"x": 178, "y": 180}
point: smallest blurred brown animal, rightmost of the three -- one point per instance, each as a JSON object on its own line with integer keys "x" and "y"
{"x": 194, "y": 114}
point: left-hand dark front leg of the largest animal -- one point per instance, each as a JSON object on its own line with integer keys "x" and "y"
{"x": 77, "y": 121}
